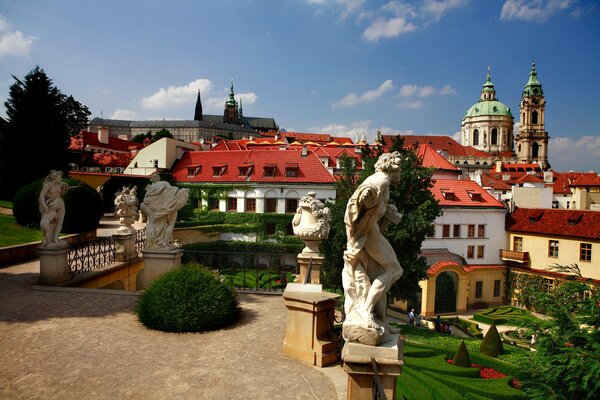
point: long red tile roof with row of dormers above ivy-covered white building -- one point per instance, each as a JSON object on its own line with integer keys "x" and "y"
{"x": 310, "y": 169}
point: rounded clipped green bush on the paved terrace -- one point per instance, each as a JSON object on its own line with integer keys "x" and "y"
{"x": 188, "y": 298}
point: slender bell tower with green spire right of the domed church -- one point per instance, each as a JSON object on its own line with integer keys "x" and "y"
{"x": 532, "y": 140}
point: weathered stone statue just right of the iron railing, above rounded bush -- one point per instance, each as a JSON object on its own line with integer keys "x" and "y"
{"x": 161, "y": 203}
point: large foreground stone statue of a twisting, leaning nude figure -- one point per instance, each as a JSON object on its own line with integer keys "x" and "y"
{"x": 370, "y": 263}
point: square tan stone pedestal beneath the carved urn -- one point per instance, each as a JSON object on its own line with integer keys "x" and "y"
{"x": 309, "y": 337}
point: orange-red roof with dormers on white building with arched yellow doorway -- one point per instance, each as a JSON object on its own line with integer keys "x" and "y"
{"x": 462, "y": 193}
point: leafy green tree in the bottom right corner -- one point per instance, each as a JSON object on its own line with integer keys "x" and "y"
{"x": 566, "y": 364}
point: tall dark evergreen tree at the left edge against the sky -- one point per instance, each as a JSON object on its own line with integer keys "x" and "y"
{"x": 40, "y": 119}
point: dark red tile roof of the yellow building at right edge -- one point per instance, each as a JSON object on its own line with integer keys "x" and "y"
{"x": 555, "y": 222}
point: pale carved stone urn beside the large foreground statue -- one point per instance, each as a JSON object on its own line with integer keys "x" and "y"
{"x": 311, "y": 222}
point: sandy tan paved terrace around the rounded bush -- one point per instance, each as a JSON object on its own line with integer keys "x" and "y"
{"x": 85, "y": 344}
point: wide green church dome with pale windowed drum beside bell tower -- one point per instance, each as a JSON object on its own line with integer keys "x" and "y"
{"x": 488, "y": 124}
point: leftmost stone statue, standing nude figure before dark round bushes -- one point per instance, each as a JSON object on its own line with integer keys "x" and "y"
{"x": 52, "y": 208}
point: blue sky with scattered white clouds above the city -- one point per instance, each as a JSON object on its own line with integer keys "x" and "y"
{"x": 337, "y": 66}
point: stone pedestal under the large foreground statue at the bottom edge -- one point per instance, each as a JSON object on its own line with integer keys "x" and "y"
{"x": 357, "y": 364}
